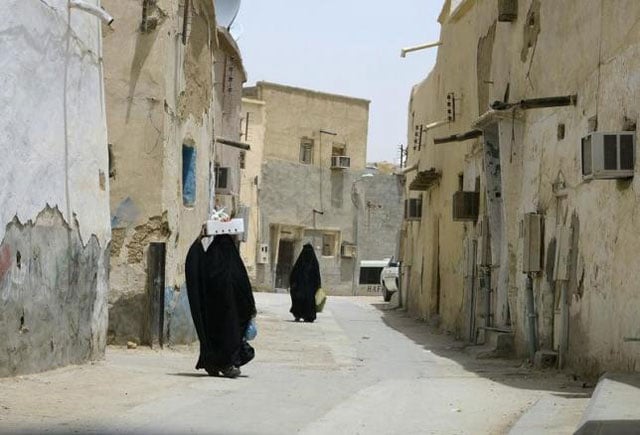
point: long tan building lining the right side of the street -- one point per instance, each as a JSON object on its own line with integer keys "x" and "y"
{"x": 545, "y": 246}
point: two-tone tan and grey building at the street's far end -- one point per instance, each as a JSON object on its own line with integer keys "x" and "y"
{"x": 310, "y": 187}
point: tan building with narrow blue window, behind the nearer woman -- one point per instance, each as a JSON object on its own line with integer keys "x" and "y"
{"x": 173, "y": 90}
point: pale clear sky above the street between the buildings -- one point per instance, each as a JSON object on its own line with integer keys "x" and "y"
{"x": 349, "y": 47}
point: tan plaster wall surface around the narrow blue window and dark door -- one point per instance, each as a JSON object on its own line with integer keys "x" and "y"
{"x": 160, "y": 97}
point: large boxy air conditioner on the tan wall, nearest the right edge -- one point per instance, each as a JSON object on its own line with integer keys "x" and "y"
{"x": 608, "y": 155}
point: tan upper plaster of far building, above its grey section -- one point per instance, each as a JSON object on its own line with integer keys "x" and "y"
{"x": 295, "y": 113}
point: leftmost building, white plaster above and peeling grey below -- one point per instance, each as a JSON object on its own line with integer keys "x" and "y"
{"x": 54, "y": 201}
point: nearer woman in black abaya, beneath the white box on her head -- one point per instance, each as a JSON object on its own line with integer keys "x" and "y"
{"x": 222, "y": 305}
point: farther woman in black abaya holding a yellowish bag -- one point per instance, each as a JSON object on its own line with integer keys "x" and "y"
{"x": 304, "y": 282}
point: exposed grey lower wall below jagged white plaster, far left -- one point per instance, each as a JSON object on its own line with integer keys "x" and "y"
{"x": 52, "y": 296}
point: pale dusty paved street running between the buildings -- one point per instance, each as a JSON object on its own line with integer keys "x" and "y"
{"x": 358, "y": 369}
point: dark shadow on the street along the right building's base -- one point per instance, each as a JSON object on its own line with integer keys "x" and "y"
{"x": 516, "y": 373}
